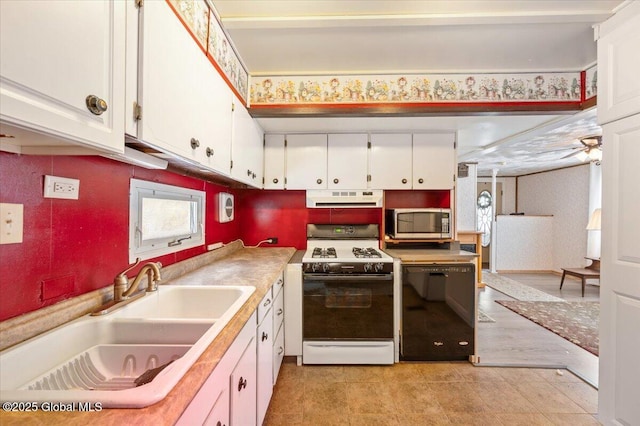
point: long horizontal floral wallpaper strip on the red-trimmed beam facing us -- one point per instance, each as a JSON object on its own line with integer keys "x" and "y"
{"x": 417, "y": 88}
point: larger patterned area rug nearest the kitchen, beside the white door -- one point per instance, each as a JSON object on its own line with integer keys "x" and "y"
{"x": 575, "y": 321}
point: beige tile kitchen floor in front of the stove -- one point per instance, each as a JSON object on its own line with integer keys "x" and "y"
{"x": 455, "y": 393}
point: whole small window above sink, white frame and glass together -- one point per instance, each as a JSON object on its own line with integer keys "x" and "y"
{"x": 163, "y": 219}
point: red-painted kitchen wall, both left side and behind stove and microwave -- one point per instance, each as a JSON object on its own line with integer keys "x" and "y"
{"x": 72, "y": 247}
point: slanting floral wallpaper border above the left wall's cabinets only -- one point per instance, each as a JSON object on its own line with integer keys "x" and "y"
{"x": 203, "y": 24}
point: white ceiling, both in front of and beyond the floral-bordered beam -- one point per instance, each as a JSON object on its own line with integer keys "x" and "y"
{"x": 353, "y": 36}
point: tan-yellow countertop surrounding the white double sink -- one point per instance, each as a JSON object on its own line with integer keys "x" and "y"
{"x": 258, "y": 267}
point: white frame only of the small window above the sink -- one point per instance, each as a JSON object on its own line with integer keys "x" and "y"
{"x": 141, "y": 189}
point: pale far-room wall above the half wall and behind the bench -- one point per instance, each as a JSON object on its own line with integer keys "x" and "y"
{"x": 565, "y": 195}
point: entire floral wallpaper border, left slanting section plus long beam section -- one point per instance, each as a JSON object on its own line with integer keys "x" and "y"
{"x": 203, "y": 23}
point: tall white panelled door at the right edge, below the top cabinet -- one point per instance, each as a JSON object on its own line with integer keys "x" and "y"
{"x": 620, "y": 275}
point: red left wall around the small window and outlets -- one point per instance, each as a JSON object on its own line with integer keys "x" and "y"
{"x": 71, "y": 247}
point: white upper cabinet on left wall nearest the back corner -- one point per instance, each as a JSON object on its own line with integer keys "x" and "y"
{"x": 247, "y": 151}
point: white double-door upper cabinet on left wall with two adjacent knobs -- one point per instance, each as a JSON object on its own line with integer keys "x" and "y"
{"x": 186, "y": 105}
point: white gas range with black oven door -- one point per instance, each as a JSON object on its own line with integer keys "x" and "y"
{"x": 350, "y": 293}
